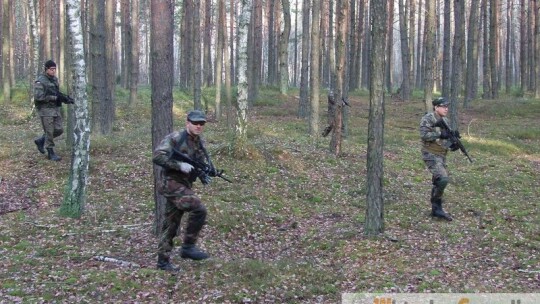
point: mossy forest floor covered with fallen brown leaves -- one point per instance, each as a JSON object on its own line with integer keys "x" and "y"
{"x": 290, "y": 227}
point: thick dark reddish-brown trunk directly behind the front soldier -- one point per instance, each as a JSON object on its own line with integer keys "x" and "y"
{"x": 162, "y": 27}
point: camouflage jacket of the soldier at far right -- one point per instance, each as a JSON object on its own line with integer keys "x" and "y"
{"x": 430, "y": 135}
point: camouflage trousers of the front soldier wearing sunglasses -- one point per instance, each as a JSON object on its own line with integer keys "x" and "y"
{"x": 180, "y": 199}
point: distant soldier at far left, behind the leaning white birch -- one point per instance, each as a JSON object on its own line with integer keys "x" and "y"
{"x": 49, "y": 109}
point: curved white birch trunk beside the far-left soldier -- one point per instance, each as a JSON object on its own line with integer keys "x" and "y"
{"x": 75, "y": 194}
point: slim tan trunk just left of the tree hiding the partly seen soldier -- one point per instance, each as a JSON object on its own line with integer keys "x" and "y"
{"x": 314, "y": 69}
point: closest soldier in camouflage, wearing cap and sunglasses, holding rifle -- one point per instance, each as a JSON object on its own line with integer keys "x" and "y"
{"x": 177, "y": 181}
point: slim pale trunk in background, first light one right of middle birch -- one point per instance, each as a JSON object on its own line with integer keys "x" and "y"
{"x": 284, "y": 47}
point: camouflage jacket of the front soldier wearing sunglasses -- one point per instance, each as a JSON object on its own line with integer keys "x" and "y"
{"x": 193, "y": 146}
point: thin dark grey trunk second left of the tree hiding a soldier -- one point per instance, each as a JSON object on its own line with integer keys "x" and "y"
{"x": 303, "y": 106}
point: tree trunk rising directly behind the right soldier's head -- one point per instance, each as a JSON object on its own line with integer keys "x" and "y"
{"x": 430, "y": 55}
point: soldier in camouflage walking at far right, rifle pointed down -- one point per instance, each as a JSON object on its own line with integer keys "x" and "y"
{"x": 435, "y": 145}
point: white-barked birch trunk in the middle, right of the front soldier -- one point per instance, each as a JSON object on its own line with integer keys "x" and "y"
{"x": 240, "y": 141}
